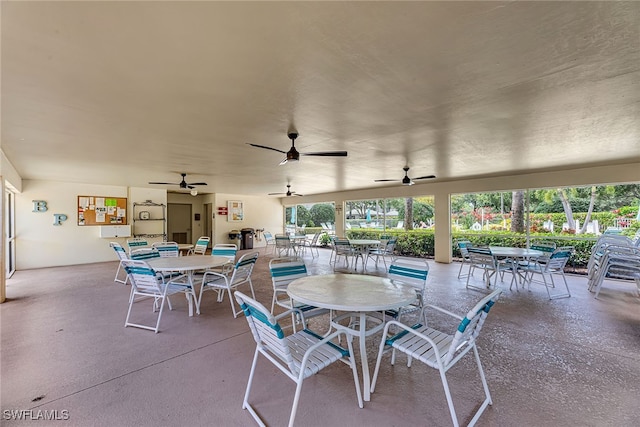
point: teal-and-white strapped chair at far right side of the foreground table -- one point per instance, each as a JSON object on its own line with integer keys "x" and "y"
{"x": 412, "y": 272}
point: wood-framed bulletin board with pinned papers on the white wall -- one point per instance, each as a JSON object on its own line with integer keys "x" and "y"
{"x": 100, "y": 210}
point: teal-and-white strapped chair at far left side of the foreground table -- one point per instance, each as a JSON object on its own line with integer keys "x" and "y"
{"x": 284, "y": 271}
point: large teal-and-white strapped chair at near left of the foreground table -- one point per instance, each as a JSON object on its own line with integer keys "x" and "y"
{"x": 299, "y": 355}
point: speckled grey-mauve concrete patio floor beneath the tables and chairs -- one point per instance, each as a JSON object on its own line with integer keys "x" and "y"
{"x": 566, "y": 362}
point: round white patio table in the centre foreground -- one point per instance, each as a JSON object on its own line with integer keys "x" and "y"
{"x": 357, "y": 294}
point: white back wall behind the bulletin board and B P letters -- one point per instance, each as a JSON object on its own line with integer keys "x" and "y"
{"x": 41, "y": 244}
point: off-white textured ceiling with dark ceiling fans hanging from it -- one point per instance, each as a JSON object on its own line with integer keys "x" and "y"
{"x": 123, "y": 93}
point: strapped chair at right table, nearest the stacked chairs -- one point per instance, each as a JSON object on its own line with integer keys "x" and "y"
{"x": 547, "y": 268}
